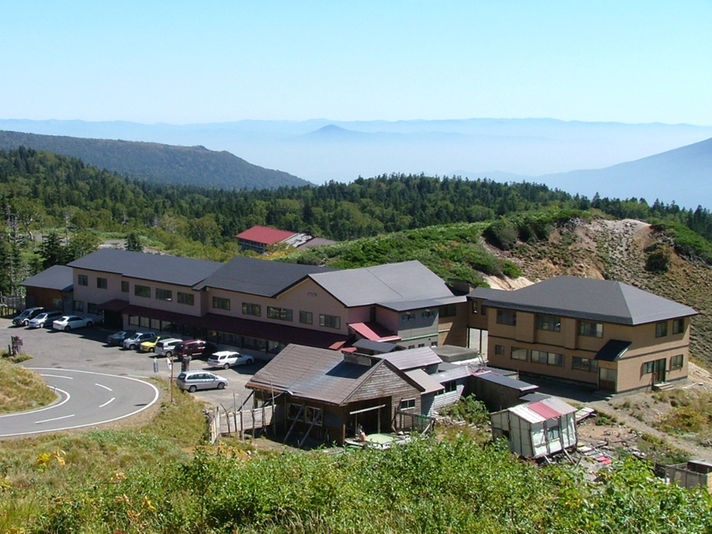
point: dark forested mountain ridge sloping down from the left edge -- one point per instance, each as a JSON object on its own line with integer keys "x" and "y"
{"x": 158, "y": 163}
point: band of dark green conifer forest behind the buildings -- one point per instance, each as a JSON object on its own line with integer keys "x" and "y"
{"x": 57, "y": 208}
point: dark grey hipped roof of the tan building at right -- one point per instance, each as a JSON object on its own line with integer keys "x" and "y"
{"x": 585, "y": 298}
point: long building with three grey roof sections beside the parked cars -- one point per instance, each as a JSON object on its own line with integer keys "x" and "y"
{"x": 265, "y": 305}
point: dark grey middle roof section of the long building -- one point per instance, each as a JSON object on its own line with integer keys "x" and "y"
{"x": 259, "y": 277}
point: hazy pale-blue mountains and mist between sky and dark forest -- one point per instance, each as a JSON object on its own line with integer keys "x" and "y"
{"x": 651, "y": 161}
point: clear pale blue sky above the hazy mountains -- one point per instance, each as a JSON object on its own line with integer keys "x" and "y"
{"x": 211, "y": 61}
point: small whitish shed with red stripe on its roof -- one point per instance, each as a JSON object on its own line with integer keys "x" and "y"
{"x": 537, "y": 429}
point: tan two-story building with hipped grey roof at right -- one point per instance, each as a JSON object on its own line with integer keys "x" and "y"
{"x": 605, "y": 334}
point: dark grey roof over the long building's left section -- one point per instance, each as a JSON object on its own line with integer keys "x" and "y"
{"x": 157, "y": 267}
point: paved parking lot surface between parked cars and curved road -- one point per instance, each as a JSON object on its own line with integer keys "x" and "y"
{"x": 85, "y": 350}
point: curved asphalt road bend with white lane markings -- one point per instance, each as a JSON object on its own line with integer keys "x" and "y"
{"x": 86, "y": 398}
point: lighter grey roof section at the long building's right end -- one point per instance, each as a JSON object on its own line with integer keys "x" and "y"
{"x": 391, "y": 283}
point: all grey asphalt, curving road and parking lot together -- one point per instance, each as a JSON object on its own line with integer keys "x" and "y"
{"x": 55, "y": 354}
